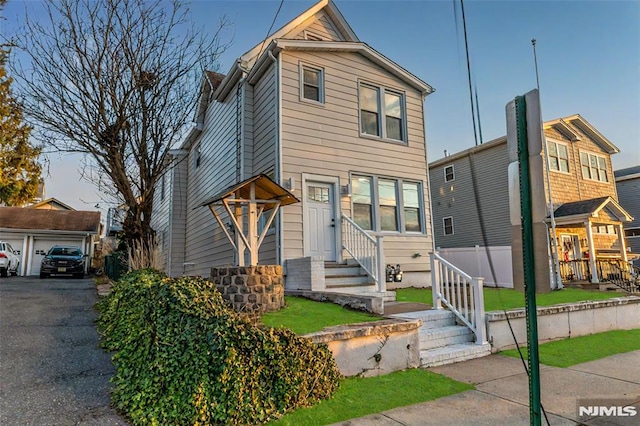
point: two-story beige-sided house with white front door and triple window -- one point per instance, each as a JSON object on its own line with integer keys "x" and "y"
{"x": 330, "y": 119}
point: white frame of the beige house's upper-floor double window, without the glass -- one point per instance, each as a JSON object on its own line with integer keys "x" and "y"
{"x": 382, "y": 113}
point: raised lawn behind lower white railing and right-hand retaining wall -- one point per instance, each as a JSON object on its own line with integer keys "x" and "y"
{"x": 497, "y": 299}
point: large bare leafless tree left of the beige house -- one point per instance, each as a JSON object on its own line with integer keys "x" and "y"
{"x": 118, "y": 81}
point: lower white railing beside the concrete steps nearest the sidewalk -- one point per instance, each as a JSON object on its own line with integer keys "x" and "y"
{"x": 459, "y": 292}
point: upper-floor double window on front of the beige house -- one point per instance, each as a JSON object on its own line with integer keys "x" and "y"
{"x": 382, "y": 112}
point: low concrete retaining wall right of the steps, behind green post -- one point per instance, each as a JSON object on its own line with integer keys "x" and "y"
{"x": 562, "y": 321}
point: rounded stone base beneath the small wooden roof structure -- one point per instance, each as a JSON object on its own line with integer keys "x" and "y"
{"x": 251, "y": 288}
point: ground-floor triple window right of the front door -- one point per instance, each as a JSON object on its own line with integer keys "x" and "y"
{"x": 387, "y": 205}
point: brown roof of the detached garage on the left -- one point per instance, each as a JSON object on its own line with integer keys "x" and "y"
{"x": 68, "y": 221}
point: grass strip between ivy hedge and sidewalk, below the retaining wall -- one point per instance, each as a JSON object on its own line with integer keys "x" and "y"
{"x": 358, "y": 397}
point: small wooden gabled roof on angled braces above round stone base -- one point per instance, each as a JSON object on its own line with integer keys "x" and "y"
{"x": 245, "y": 203}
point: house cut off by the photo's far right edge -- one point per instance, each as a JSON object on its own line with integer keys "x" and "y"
{"x": 628, "y": 185}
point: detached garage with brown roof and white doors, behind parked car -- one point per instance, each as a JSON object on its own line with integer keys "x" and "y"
{"x": 34, "y": 231}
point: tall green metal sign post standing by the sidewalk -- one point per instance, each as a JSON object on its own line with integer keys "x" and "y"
{"x": 528, "y": 263}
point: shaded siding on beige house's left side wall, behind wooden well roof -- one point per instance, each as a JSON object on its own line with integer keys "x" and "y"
{"x": 206, "y": 245}
